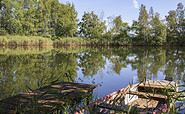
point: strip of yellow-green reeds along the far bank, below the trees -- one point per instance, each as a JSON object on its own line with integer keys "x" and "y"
{"x": 39, "y": 41}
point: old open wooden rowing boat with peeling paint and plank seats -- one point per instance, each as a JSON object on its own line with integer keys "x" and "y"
{"x": 146, "y": 97}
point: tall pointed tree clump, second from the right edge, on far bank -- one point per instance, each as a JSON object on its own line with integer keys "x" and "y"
{"x": 149, "y": 29}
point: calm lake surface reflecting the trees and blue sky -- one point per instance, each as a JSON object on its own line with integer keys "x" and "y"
{"x": 111, "y": 68}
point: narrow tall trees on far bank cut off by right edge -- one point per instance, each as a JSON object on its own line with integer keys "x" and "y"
{"x": 175, "y": 26}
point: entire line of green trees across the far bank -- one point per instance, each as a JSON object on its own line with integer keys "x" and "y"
{"x": 55, "y": 20}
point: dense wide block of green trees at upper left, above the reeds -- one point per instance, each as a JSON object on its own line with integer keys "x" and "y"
{"x": 35, "y": 17}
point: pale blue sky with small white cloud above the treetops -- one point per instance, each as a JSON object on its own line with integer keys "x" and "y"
{"x": 128, "y": 9}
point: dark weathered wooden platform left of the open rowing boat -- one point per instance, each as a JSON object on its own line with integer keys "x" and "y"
{"x": 47, "y": 98}
